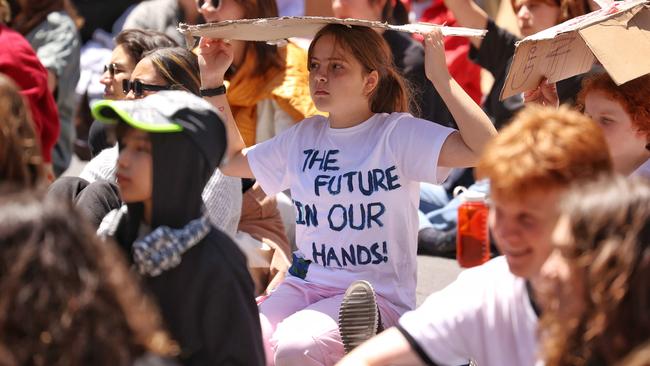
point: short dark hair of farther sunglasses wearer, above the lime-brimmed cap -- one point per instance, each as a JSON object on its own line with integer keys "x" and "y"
{"x": 137, "y": 42}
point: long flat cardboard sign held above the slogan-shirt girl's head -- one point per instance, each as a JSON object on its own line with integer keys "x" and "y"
{"x": 274, "y": 30}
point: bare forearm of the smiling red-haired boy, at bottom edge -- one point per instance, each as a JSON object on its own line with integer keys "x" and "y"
{"x": 387, "y": 348}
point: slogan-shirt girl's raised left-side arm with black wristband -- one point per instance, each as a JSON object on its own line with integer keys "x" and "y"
{"x": 215, "y": 56}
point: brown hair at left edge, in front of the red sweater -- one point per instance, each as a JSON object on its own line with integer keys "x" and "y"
{"x": 21, "y": 163}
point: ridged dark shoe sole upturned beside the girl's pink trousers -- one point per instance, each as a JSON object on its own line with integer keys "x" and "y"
{"x": 358, "y": 315}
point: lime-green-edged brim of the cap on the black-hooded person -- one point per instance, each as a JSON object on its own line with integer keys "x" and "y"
{"x": 110, "y": 112}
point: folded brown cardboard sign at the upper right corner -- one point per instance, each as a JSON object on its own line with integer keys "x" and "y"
{"x": 618, "y": 36}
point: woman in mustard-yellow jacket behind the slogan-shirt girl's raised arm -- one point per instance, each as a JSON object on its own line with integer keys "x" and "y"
{"x": 268, "y": 91}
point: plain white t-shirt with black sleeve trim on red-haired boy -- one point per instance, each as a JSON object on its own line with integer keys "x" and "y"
{"x": 485, "y": 315}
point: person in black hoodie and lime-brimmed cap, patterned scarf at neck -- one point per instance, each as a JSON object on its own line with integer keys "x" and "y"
{"x": 170, "y": 144}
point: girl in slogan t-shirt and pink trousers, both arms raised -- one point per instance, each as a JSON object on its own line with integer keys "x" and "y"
{"x": 354, "y": 179}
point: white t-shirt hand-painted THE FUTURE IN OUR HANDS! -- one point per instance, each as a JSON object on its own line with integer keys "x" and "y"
{"x": 356, "y": 191}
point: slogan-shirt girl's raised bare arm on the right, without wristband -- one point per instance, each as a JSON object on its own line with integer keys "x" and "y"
{"x": 461, "y": 149}
